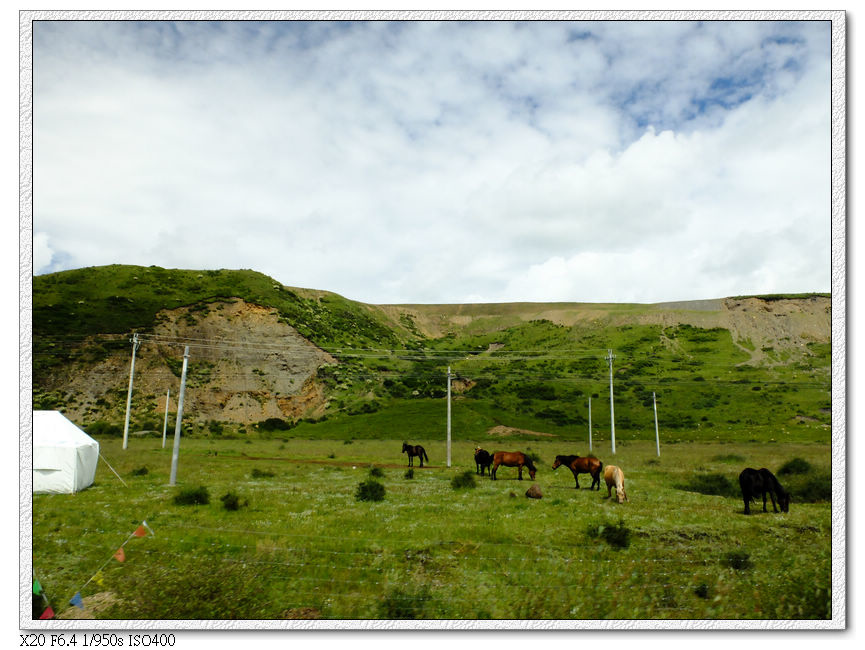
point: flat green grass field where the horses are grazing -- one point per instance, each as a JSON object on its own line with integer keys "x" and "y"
{"x": 301, "y": 545}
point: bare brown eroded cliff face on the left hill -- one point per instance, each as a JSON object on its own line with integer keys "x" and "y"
{"x": 245, "y": 365}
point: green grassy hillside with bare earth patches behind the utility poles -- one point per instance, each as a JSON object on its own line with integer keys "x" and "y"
{"x": 743, "y": 368}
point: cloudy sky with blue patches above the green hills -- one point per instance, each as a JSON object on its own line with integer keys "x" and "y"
{"x": 441, "y": 162}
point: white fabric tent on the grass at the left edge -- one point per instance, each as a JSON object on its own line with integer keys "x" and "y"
{"x": 64, "y": 457}
